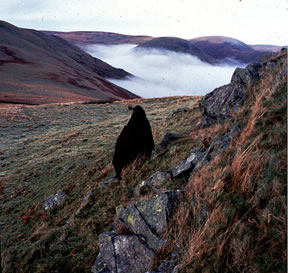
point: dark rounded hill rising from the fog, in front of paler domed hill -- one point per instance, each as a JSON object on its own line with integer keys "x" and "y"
{"x": 177, "y": 45}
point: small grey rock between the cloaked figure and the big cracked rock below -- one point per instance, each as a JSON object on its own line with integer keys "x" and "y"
{"x": 154, "y": 182}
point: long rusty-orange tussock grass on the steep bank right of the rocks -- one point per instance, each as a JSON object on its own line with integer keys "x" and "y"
{"x": 243, "y": 190}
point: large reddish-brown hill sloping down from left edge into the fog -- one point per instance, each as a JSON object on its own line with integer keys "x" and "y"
{"x": 36, "y": 68}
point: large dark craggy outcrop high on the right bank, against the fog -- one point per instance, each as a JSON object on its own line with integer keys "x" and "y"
{"x": 218, "y": 105}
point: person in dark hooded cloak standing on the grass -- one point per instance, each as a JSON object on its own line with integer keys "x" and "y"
{"x": 135, "y": 141}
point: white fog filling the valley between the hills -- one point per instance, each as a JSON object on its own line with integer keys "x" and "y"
{"x": 162, "y": 73}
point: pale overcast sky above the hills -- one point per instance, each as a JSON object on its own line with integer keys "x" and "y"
{"x": 252, "y": 21}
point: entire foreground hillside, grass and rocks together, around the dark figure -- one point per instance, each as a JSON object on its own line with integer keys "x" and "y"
{"x": 218, "y": 205}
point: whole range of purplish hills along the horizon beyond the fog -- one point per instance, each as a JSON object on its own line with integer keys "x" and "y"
{"x": 211, "y": 49}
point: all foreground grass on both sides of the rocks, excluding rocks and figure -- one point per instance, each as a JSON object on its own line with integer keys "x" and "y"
{"x": 47, "y": 149}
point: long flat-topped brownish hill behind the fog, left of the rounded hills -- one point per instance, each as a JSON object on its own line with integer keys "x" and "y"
{"x": 99, "y": 37}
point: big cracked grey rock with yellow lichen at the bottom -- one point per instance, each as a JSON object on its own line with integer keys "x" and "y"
{"x": 137, "y": 235}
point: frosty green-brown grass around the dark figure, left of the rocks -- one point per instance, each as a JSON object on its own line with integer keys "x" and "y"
{"x": 46, "y": 149}
